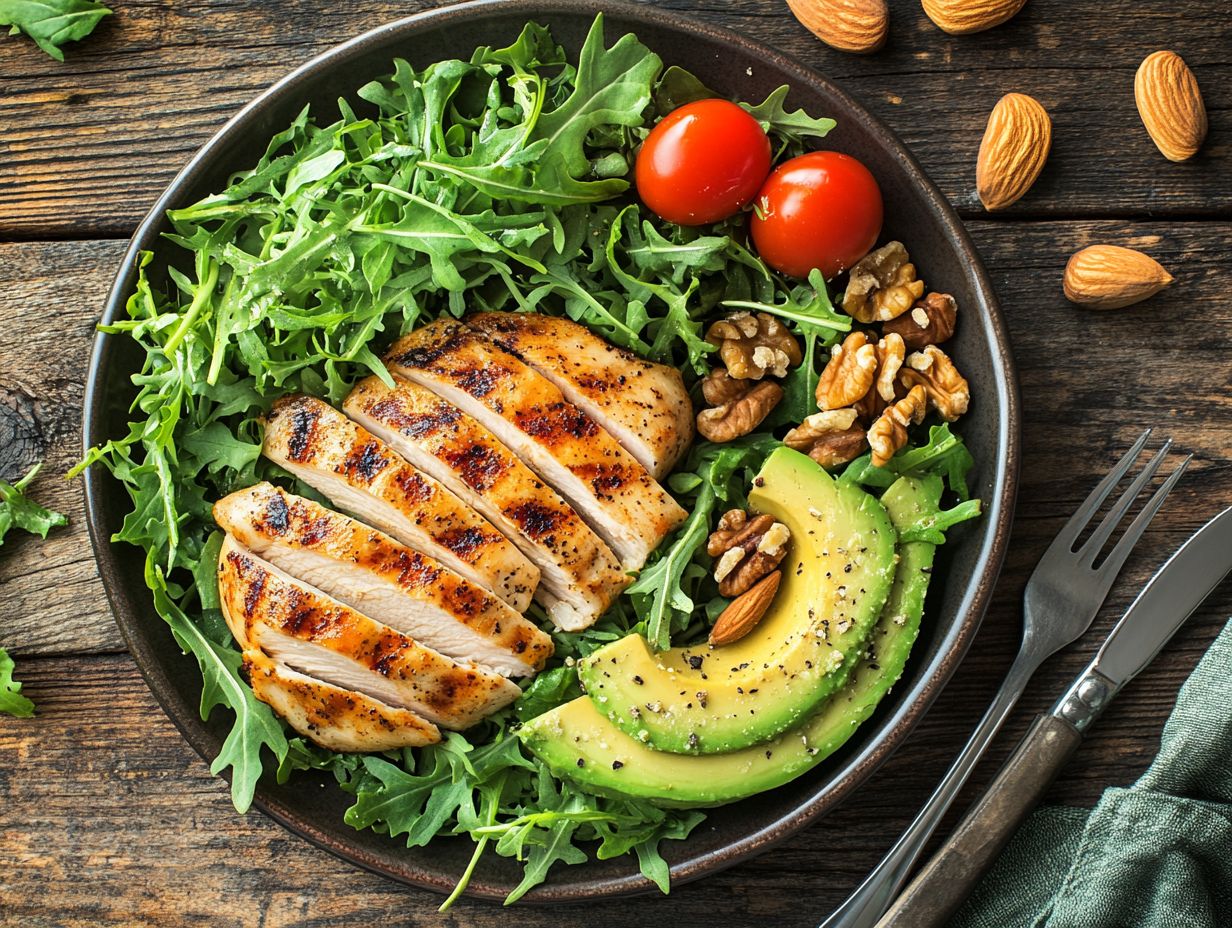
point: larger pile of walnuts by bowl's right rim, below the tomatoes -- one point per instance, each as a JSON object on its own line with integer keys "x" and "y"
{"x": 872, "y": 391}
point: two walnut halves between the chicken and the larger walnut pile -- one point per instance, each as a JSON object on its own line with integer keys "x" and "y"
{"x": 741, "y": 395}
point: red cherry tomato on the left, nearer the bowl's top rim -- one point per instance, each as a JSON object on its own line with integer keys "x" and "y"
{"x": 703, "y": 163}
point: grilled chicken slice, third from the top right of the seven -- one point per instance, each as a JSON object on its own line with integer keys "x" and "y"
{"x": 580, "y": 575}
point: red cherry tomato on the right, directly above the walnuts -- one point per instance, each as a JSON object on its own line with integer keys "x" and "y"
{"x": 821, "y": 210}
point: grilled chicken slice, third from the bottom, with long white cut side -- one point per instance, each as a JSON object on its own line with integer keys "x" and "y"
{"x": 383, "y": 579}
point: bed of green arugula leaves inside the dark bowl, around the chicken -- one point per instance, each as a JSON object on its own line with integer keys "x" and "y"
{"x": 500, "y": 183}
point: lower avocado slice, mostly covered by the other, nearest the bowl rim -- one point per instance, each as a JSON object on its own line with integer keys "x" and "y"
{"x": 580, "y": 744}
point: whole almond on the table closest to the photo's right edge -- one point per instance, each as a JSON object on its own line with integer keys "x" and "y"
{"x": 1171, "y": 105}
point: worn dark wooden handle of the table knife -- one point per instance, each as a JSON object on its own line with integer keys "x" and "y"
{"x": 950, "y": 877}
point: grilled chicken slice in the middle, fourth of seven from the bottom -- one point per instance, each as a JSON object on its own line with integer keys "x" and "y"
{"x": 362, "y": 475}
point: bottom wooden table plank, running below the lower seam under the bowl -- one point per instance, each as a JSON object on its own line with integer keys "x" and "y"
{"x": 110, "y": 819}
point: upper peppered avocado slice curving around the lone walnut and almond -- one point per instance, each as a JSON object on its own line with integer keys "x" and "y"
{"x": 836, "y": 579}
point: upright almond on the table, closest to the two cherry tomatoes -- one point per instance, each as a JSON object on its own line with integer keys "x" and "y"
{"x": 1013, "y": 152}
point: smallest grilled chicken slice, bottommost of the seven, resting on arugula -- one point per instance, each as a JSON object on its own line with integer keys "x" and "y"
{"x": 336, "y": 719}
